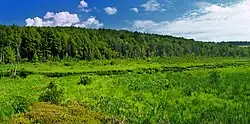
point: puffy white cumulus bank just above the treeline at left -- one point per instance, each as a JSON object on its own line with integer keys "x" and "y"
{"x": 63, "y": 19}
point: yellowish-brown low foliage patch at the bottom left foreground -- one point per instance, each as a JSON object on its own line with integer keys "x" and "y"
{"x": 45, "y": 113}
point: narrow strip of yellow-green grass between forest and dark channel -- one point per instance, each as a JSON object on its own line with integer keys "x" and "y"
{"x": 117, "y": 64}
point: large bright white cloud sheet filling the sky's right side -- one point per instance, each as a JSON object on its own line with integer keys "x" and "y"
{"x": 211, "y": 22}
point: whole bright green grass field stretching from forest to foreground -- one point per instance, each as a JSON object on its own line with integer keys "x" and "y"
{"x": 159, "y": 91}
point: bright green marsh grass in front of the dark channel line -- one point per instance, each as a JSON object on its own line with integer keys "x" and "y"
{"x": 180, "y": 97}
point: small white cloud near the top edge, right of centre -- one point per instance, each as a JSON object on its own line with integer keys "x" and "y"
{"x": 152, "y": 5}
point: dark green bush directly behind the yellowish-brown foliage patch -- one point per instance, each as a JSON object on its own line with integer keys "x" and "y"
{"x": 53, "y": 94}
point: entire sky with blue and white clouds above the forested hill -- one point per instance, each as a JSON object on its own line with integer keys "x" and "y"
{"x": 203, "y": 20}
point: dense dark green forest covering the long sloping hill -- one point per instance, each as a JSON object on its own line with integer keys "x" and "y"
{"x": 55, "y": 43}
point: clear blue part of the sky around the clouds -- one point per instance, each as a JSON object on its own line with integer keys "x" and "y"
{"x": 16, "y": 11}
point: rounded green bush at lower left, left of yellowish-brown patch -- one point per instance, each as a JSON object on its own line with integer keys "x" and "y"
{"x": 20, "y": 104}
